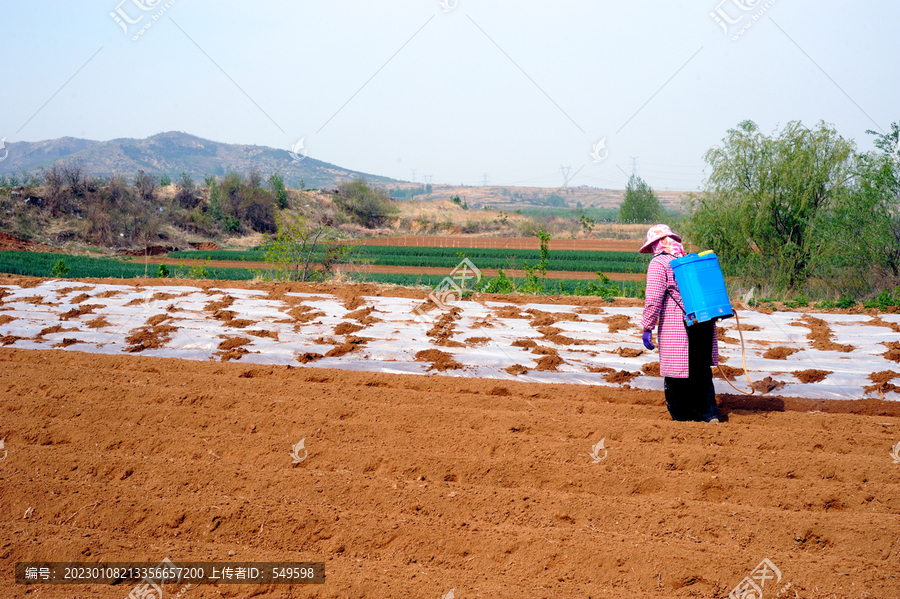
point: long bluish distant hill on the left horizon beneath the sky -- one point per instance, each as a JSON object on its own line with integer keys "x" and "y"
{"x": 171, "y": 153}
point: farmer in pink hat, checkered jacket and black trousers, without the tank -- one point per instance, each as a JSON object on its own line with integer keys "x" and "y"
{"x": 685, "y": 353}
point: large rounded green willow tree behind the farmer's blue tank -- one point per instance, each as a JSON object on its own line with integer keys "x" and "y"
{"x": 767, "y": 203}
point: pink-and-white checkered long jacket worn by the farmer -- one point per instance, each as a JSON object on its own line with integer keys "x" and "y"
{"x": 665, "y": 309}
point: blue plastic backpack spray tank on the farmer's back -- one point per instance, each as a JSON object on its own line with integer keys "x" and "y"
{"x": 702, "y": 287}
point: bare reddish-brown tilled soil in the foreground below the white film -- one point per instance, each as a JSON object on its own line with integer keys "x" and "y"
{"x": 416, "y": 485}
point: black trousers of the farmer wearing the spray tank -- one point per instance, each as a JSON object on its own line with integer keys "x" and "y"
{"x": 694, "y": 398}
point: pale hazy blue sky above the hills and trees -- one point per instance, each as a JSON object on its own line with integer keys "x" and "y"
{"x": 515, "y": 90}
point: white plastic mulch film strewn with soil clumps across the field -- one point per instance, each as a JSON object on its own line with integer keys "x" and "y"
{"x": 181, "y": 323}
